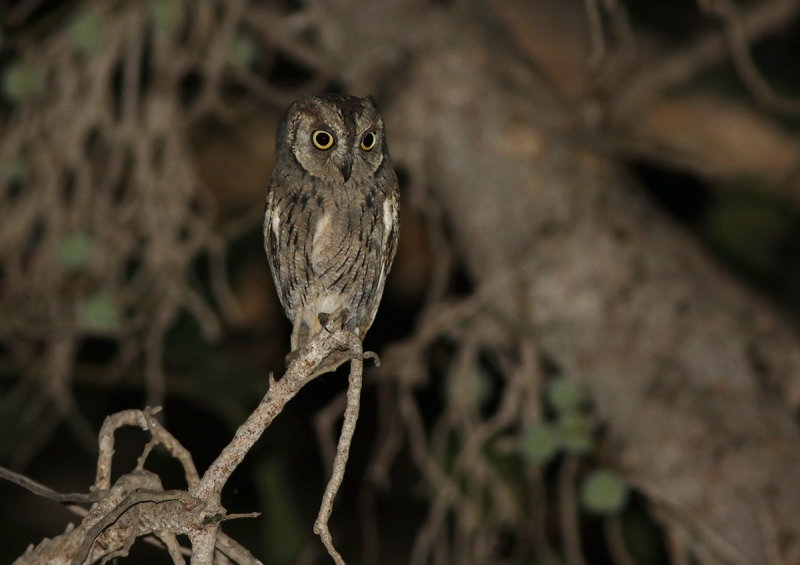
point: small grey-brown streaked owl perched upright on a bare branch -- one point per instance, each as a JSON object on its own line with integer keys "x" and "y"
{"x": 331, "y": 221}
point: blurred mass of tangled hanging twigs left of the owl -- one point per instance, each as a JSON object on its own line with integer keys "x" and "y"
{"x": 103, "y": 215}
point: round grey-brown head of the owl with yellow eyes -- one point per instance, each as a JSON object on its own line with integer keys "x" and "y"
{"x": 334, "y": 136}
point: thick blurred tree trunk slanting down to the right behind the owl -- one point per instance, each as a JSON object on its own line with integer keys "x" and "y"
{"x": 694, "y": 375}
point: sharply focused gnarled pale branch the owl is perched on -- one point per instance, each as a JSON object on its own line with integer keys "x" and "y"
{"x": 136, "y": 504}
